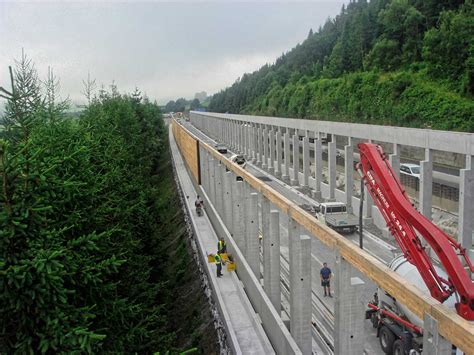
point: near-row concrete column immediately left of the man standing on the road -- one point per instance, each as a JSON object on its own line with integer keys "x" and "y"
{"x": 300, "y": 287}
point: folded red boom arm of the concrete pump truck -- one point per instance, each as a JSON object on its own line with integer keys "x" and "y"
{"x": 403, "y": 221}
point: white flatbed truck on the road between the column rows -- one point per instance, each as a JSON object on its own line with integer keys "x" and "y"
{"x": 335, "y": 215}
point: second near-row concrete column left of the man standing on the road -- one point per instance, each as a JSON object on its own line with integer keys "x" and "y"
{"x": 271, "y": 261}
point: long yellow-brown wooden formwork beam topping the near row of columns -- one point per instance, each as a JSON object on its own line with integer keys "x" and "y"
{"x": 451, "y": 326}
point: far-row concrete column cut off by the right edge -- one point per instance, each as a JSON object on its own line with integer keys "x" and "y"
{"x": 466, "y": 204}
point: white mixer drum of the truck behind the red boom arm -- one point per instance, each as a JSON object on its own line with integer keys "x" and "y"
{"x": 410, "y": 273}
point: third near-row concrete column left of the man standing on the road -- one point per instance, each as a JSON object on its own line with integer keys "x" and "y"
{"x": 253, "y": 247}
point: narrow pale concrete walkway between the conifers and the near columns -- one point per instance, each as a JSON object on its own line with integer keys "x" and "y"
{"x": 245, "y": 334}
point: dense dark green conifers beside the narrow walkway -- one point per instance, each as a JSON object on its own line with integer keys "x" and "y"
{"x": 93, "y": 253}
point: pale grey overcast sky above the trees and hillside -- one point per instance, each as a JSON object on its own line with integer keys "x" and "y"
{"x": 166, "y": 49}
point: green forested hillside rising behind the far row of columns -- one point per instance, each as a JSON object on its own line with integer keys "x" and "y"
{"x": 396, "y": 62}
